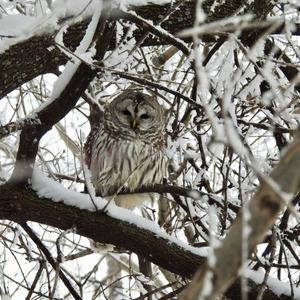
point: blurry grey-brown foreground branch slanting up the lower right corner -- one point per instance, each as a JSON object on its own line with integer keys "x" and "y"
{"x": 272, "y": 196}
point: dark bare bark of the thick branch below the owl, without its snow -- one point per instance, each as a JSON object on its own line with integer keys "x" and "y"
{"x": 21, "y": 204}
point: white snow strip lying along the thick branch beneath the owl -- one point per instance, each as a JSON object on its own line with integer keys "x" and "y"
{"x": 46, "y": 187}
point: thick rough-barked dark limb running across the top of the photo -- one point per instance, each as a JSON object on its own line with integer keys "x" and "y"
{"x": 42, "y": 56}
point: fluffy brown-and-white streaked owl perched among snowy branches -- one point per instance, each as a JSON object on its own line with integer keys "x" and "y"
{"x": 125, "y": 150}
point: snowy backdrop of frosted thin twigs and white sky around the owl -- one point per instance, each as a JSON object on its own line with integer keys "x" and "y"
{"x": 222, "y": 136}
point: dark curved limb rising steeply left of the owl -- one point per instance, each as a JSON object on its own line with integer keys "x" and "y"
{"x": 58, "y": 107}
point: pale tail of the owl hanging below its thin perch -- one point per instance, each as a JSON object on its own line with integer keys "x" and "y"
{"x": 130, "y": 201}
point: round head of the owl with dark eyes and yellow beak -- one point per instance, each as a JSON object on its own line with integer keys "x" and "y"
{"x": 136, "y": 114}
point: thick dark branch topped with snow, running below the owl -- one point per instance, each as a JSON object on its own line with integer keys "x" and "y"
{"x": 116, "y": 226}
